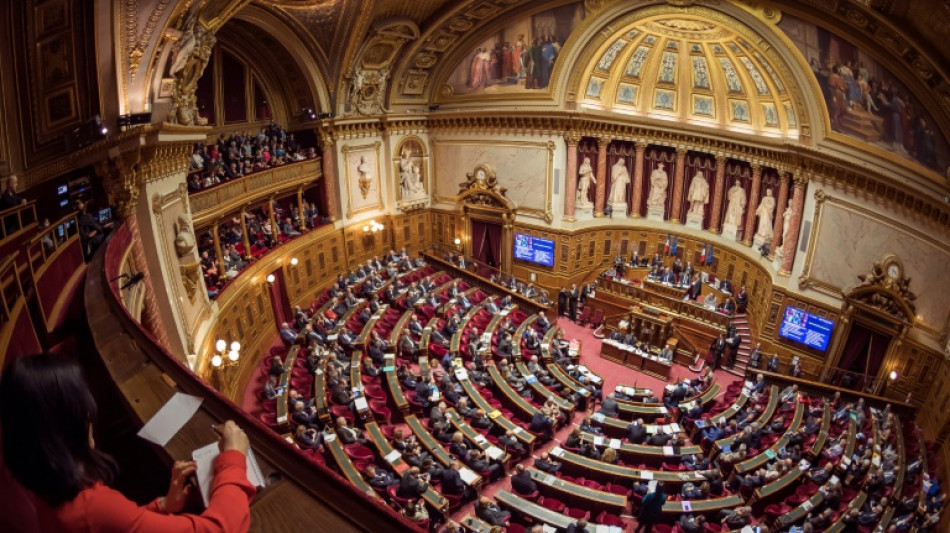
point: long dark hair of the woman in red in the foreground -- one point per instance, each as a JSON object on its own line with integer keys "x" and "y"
{"x": 46, "y": 410}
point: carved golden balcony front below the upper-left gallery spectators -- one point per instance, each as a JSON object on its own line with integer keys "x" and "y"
{"x": 210, "y": 203}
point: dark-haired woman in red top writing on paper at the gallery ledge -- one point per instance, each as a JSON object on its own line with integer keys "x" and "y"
{"x": 69, "y": 478}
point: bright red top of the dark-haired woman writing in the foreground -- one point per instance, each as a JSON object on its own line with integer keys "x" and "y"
{"x": 100, "y": 509}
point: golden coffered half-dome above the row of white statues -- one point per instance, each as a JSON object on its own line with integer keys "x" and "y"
{"x": 691, "y": 69}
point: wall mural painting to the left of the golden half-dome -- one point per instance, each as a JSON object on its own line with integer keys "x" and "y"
{"x": 520, "y": 56}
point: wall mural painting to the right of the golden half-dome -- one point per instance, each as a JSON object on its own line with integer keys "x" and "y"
{"x": 866, "y": 101}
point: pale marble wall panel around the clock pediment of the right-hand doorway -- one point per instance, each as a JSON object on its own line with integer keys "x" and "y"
{"x": 849, "y": 238}
